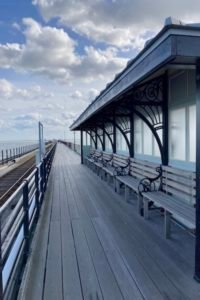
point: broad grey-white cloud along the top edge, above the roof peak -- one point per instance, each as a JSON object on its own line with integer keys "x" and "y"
{"x": 122, "y": 22}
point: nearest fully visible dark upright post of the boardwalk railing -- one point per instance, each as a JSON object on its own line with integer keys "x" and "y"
{"x": 26, "y": 220}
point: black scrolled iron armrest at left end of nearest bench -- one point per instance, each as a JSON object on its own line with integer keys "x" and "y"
{"x": 149, "y": 184}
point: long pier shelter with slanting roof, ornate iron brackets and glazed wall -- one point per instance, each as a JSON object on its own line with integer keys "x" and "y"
{"x": 151, "y": 110}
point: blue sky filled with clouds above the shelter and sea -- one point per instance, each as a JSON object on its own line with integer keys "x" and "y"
{"x": 57, "y": 55}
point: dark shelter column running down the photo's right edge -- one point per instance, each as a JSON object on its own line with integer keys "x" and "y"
{"x": 197, "y": 241}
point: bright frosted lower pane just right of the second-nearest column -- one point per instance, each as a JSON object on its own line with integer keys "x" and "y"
{"x": 177, "y": 134}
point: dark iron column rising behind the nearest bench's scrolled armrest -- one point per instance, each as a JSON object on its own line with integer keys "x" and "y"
{"x": 165, "y": 150}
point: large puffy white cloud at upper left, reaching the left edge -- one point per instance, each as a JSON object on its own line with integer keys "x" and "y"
{"x": 50, "y": 51}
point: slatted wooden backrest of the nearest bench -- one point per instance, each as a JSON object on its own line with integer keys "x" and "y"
{"x": 180, "y": 183}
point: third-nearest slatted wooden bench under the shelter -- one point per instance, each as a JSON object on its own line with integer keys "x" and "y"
{"x": 111, "y": 168}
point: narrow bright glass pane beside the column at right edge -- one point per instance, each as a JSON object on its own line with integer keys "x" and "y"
{"x": 192, "y": 133}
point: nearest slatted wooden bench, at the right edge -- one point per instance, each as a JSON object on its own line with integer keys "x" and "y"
{"x": 176, "y": 197}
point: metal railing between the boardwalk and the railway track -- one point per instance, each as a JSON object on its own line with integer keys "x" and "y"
{"x": 17, "y": 231}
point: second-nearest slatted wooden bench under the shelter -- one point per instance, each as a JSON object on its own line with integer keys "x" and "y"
{"x": 138, "y": 170}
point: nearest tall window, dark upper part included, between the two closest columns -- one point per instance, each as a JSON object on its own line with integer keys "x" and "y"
{"x": 182, "y": 117}
